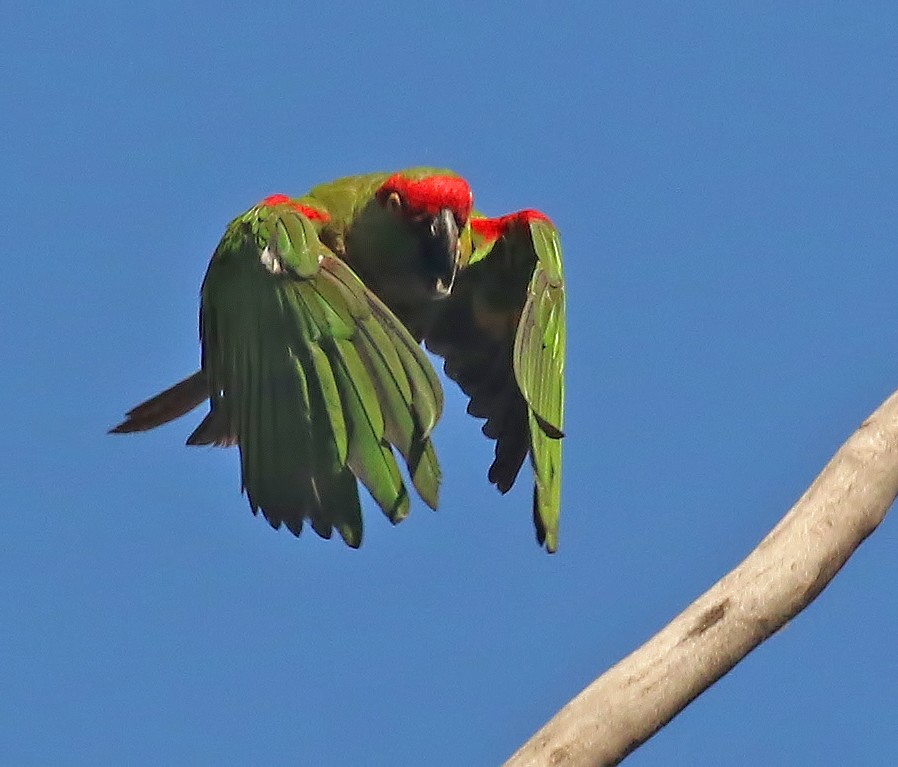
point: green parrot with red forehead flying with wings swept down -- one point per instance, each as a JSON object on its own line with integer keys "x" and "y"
{"x": 312, "y": 314}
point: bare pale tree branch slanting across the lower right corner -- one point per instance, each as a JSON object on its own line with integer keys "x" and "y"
{"x": 635, "y": 698}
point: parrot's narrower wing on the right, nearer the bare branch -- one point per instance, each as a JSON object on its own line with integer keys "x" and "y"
{"x": 502, "y": 334}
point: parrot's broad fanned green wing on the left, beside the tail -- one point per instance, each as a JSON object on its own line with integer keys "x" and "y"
{"x": 313, "y": 377}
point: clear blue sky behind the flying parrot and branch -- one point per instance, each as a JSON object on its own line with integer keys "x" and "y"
{"x": 725, "y": 177}
